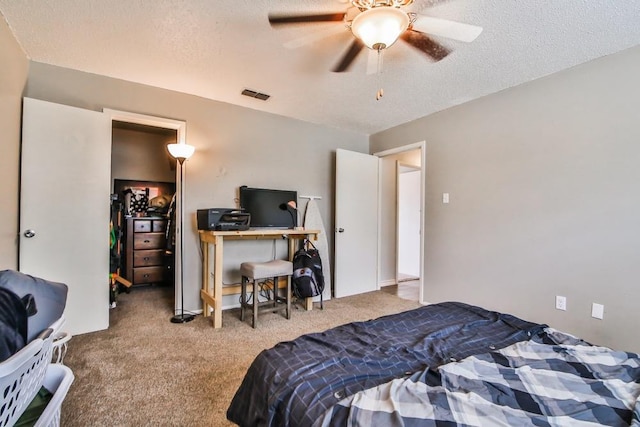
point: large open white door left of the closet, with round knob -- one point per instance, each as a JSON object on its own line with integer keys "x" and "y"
{"x": 64, "y": 202}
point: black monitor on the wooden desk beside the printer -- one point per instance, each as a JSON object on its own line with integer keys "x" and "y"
{"x": 268, "y": 208}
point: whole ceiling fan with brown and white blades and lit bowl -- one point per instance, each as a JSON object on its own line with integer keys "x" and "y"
{"x": 378, "y": 24}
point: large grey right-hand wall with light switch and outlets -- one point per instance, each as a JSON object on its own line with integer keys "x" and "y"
{"x": 543, "y": 180}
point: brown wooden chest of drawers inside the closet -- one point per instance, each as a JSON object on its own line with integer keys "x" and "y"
{"x": 146, "y": 258}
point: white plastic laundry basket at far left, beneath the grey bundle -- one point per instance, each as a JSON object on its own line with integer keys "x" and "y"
{"x": 22, "y": 375}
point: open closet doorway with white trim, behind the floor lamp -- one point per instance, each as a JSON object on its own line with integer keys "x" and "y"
{"x": 141, "y": 161}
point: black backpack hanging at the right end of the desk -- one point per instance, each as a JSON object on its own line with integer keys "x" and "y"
{"x": 307, "y": 278}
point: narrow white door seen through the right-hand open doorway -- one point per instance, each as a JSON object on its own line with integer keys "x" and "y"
{"x": 408, "y": 223}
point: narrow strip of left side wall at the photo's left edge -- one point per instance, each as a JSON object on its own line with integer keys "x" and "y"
{"x": 13, "y": 77}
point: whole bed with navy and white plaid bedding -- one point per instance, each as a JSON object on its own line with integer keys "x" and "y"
{"x": 439, "y": 365}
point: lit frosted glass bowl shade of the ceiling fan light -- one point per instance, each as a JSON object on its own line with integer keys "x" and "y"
{"x": 380, "y": 27}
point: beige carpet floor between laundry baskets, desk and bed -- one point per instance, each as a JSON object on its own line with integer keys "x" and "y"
{"x": 146, "y": 371}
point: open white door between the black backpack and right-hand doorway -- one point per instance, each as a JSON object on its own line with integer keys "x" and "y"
{"x": 356, "y": 234}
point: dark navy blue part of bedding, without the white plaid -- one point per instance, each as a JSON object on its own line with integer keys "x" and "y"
{"x": 296, "y": 382}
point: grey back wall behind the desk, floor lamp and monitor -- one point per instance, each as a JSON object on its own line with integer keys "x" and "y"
{"x": 234, "y": 146}
